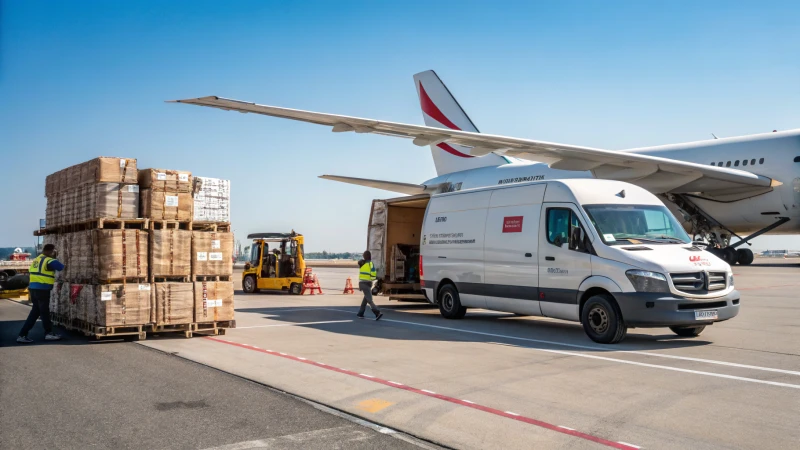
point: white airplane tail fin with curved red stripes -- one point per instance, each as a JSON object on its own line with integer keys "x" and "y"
{"x": 440, "y": 109}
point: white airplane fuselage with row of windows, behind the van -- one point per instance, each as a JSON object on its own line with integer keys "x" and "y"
{"x": 773, "y": 155}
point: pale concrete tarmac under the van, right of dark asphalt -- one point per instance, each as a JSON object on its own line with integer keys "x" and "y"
{"x": 495, "y": 380}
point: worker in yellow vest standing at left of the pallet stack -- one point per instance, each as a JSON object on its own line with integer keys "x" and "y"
{"x": 43, "y": 275}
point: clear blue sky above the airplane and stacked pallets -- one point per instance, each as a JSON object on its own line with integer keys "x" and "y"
{"x": 79, "y": 79}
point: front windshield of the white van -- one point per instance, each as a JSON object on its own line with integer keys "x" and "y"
{"x": 632, "y": 224}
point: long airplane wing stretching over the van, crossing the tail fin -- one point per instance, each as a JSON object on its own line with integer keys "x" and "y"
{"x": 658, "y": 175}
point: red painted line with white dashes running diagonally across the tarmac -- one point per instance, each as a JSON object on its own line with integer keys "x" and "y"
{"x": 395, "y": 385}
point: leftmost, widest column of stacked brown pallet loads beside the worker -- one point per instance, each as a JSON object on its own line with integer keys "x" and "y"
{"x": 92, "y": 219}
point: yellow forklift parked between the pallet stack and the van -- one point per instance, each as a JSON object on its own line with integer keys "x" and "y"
{"x": 276, "y": 263}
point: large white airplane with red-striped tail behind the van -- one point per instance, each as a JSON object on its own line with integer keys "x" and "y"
{"x": 722, "y": 188}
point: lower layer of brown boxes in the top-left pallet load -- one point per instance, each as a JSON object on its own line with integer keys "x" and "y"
{"x": 92, "y": 201}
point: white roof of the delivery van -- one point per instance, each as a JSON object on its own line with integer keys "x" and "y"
{"x": 584, "y": 191}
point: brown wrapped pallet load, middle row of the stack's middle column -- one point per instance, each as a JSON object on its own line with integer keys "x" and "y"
{"x": 170, "y": 253}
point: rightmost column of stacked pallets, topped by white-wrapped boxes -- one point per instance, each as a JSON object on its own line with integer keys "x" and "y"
{"x": 212, "y": 255}
